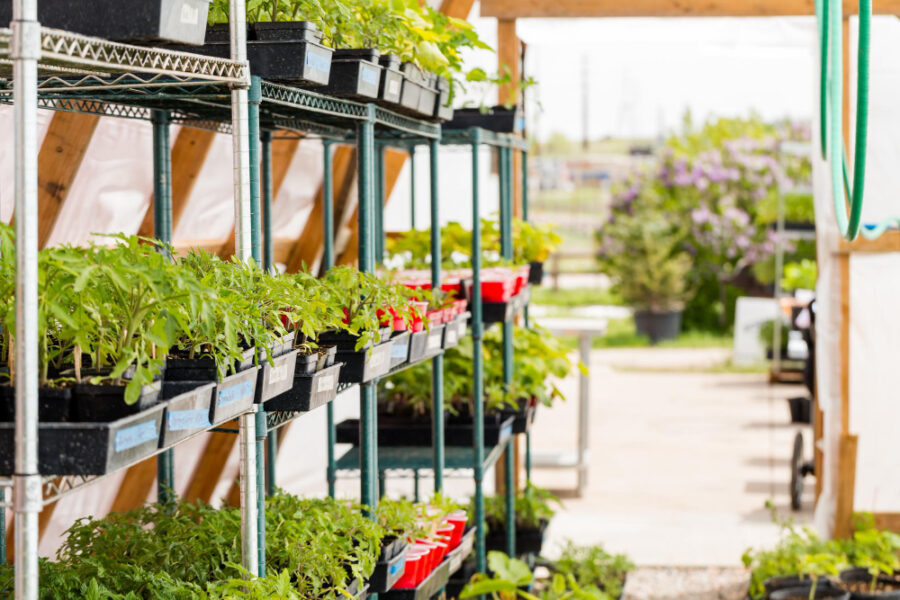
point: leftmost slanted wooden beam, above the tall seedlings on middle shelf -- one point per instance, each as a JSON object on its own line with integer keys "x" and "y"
{"x": 59, "y": 160}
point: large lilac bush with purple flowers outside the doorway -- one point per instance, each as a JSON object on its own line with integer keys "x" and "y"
{"x": 713, "y": 189}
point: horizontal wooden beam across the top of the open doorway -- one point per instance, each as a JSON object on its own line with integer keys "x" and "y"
{"x": 521, "y": 9}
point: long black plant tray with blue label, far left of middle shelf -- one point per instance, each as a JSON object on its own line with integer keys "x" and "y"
{"x": 88, "y": 448}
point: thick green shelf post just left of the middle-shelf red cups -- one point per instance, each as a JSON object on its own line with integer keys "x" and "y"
{"x": 365, "y": 148}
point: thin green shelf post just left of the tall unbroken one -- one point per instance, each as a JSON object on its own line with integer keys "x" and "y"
{"x": 437, "y": 363}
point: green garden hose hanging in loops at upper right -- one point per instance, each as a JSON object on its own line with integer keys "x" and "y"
{"x": 844, "y": 184}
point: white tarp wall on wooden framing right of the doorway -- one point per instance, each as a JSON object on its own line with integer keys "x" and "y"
{"x": 874, "y": 297}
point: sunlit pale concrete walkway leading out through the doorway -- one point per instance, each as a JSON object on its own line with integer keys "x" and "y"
{"x": 682, "y": 463}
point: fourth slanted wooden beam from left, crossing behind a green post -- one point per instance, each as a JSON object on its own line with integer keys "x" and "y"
{"x": 308, "y": 247}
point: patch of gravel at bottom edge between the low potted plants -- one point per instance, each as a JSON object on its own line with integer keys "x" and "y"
{"x": 686, "y": 583}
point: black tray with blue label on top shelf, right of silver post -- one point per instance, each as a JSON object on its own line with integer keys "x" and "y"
{"x": 286, "y": 52}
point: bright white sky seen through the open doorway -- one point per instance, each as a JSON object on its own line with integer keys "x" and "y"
{"x": 643, "y": 73}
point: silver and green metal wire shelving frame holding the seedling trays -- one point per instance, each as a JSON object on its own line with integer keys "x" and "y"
{"x": 64, "y": 71}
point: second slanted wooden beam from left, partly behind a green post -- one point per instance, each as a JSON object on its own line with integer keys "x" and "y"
{"x": 188, "y": 157}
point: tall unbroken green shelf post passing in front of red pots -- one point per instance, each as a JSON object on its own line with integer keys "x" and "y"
{"x": 477, "y": 366}
